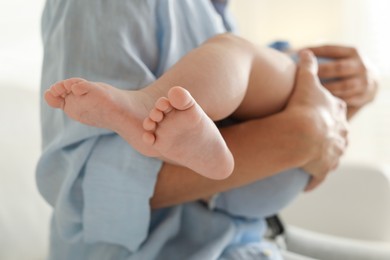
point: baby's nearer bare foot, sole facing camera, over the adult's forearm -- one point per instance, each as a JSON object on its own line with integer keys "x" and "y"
{"x": 182, "y": 133}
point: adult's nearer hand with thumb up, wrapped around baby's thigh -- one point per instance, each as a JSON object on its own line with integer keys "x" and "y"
{"x": 326, "y": 120}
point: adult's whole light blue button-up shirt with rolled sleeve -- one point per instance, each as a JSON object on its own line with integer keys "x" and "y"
{"x": 98, "y": 185}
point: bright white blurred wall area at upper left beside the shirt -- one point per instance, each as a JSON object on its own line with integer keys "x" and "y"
{"x": 20, "y": 45}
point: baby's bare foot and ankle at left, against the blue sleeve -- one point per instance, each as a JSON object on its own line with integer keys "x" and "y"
{"x": 101, "y": 105}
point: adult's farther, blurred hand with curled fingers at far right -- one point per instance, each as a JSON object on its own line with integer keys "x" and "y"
{"x": 355, "y": 83}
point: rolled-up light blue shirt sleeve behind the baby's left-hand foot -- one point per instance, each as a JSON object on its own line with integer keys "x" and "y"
{"x": 98, "y": 185}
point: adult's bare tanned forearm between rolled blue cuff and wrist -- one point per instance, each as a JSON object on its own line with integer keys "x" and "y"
{"x": 261, "y": 148}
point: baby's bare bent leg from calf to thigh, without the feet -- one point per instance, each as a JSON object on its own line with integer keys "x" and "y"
{"x": 228, "y": 74}
